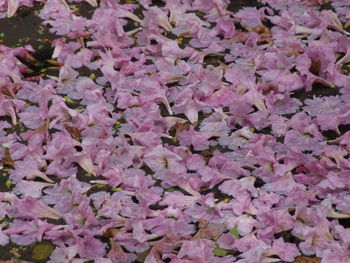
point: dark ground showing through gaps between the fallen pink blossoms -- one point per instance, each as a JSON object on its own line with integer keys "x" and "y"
{"x": 25, "y": 28}
